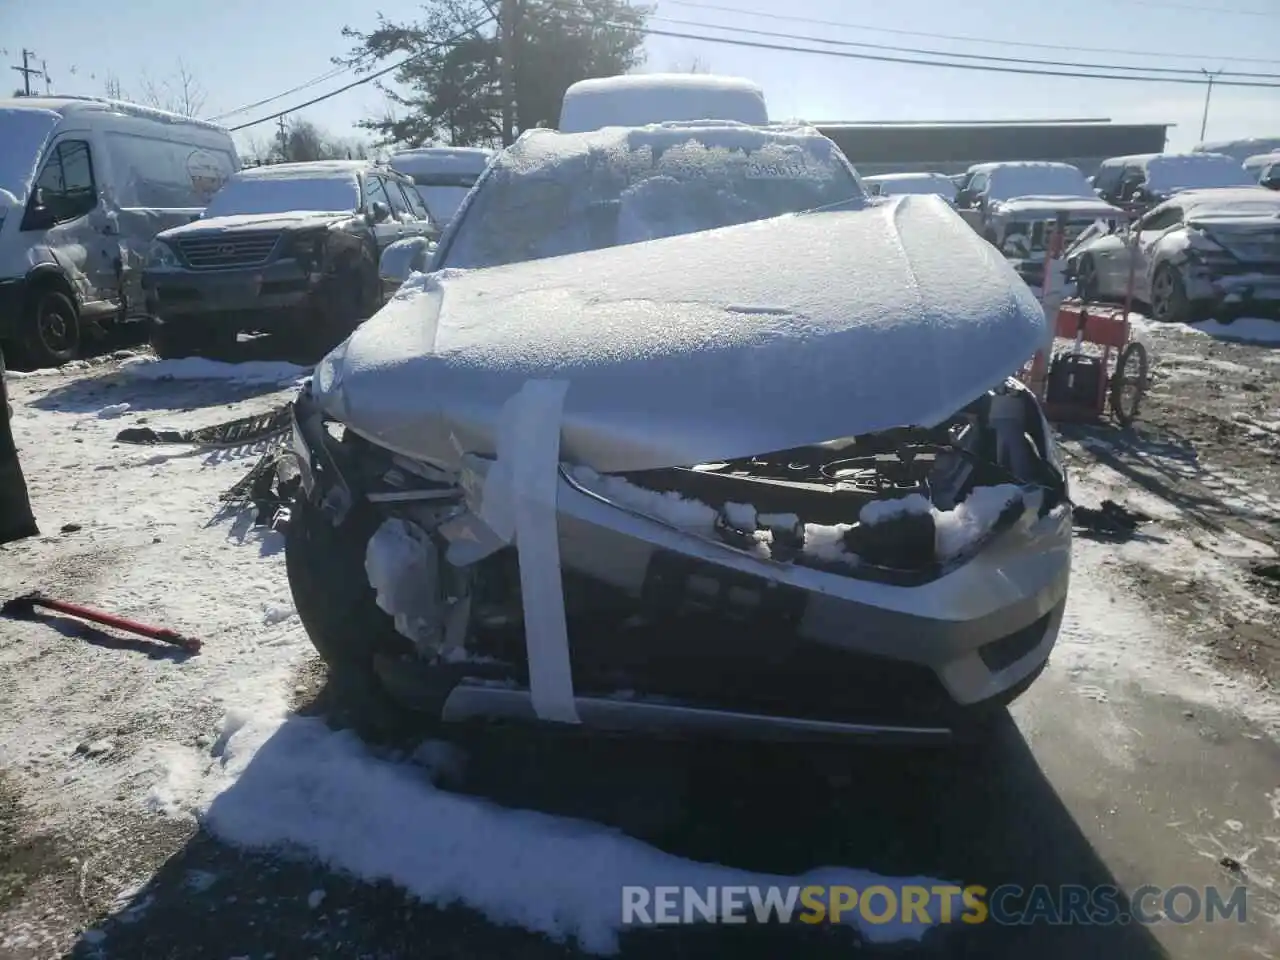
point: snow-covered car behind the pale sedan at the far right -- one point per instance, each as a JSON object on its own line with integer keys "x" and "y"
{"x": 1144, "y": 181}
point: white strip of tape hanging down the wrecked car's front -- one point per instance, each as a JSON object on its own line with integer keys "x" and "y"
{"x": 519, "y": 504}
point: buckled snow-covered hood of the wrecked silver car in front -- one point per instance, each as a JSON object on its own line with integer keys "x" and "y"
{"x": 708, "y": 346}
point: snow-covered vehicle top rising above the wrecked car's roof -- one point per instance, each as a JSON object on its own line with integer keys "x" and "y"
{"x": 641, "y": 99}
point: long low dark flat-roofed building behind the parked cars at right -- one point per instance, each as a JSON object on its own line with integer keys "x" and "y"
{"x": 953, "y": 148}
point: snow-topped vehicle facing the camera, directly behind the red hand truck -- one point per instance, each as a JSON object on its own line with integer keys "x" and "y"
{"x": 1017, "y": 207}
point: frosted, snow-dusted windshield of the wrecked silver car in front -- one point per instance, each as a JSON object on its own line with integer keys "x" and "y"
{"x": 554, "y": 194}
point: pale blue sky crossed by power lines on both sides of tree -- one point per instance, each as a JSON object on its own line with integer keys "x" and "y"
{"x": 245, "y": 51}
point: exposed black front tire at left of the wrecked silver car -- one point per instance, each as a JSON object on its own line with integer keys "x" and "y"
{"x": 339, "y": 609}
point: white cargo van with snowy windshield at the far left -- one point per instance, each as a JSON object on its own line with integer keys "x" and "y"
{"x": 85, "y": 186}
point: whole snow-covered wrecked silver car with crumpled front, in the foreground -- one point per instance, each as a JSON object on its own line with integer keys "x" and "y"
{"x": 650, "y": 451}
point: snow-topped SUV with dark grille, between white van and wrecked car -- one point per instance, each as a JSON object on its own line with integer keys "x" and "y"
{"x": 287, "y": 249}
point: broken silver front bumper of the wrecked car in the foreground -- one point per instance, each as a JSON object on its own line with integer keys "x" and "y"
{"x": 725, "y": 639}
